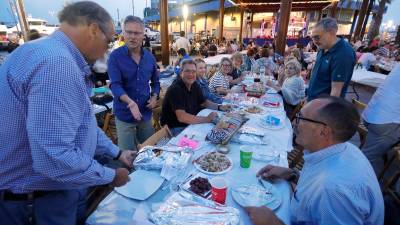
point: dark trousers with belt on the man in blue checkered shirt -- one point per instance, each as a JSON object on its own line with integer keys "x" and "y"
{"x": 65, "y": 207}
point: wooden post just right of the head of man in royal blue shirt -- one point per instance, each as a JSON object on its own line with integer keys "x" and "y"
{"x": 164, "y": 31}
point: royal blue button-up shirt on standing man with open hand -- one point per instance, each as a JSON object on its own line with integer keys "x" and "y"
{"x": 128, "y": 77}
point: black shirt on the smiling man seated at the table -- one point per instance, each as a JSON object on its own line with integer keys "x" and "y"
{"x": 179, "y": 97}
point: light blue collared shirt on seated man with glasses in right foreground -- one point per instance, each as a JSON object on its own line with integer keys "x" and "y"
{"x": 337, "y": 185}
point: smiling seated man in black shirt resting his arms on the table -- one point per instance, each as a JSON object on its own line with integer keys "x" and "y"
{"x": 184, "y": 99}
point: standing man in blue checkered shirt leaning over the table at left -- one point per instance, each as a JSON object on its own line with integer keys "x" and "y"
{"x": 49, "y": 133}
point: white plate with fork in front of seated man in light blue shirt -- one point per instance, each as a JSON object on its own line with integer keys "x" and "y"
{"x": 255, "y": 195}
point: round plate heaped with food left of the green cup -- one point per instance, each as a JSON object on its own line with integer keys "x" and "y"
{"x": 213, "y": 163}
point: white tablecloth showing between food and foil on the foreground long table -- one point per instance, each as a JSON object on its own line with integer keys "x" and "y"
{"x": 116, "y": 209}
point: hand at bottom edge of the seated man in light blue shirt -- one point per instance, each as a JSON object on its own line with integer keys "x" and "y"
{"x": 263, "y": 216}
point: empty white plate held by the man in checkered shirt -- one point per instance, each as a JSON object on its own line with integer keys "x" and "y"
{"x": 142, "y": 185}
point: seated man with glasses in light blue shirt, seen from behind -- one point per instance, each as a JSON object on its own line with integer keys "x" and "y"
{"x": 337, "y": 184}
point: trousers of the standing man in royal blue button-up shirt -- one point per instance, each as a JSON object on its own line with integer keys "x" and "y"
{"x": 132, "y": 134}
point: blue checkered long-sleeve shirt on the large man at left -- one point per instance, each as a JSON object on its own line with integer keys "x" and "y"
{"x": 49, "y": 133}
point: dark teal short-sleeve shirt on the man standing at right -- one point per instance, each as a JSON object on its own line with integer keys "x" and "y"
{"x": 335, "y": 65}
